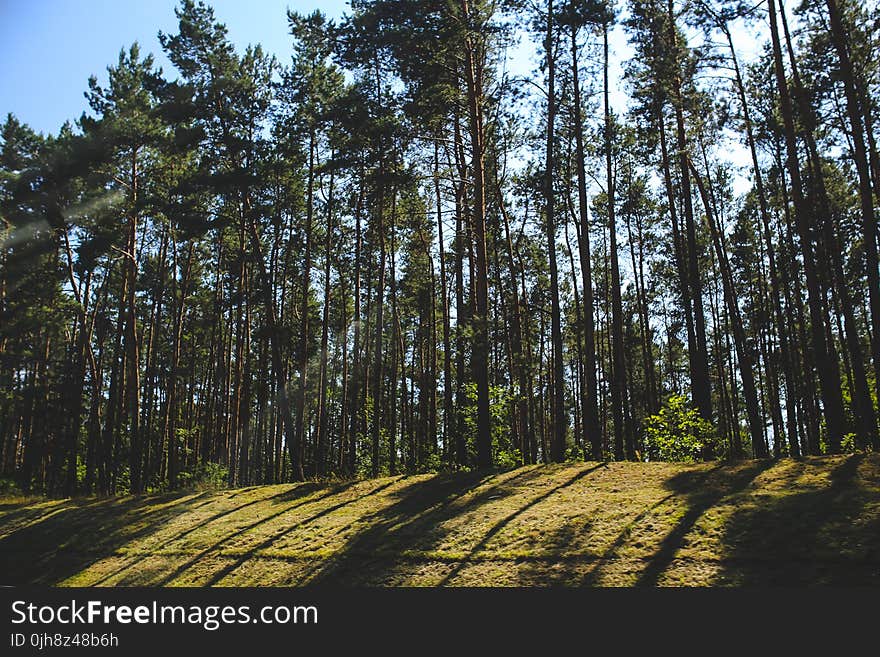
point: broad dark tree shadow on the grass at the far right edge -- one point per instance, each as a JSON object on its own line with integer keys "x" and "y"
{"x": 826, "y": 536}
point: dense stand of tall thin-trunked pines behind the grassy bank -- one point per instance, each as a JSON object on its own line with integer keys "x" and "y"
{"x": 389, "y": 253}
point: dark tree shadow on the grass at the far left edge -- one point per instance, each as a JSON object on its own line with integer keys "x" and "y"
{"x": 69, "y": 537}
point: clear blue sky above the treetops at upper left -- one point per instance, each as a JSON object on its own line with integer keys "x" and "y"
{"x": 49, "y": 48}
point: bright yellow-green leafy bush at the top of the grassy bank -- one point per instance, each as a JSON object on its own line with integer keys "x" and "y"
{"x": 677, "y": 433}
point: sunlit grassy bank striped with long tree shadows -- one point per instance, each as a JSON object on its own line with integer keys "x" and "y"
{"x": 811, "y": 521}
